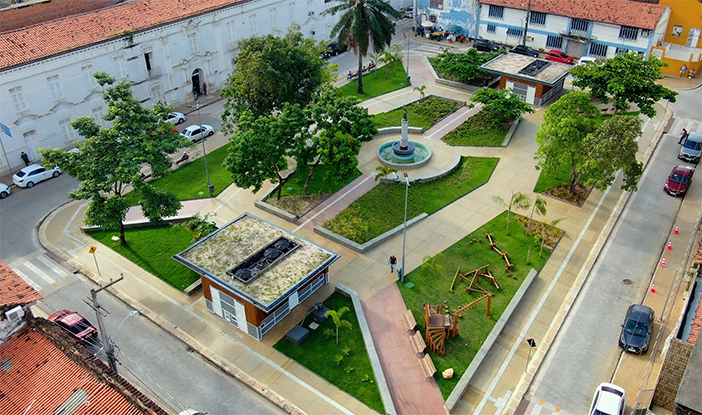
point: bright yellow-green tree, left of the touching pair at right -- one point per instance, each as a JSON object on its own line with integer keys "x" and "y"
{"x": 561, "y": 138}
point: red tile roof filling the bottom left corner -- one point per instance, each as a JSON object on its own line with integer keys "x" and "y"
{"x": 36, "y": 374}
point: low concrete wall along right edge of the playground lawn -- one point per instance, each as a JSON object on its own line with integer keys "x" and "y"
{"x": 462, "y": 385}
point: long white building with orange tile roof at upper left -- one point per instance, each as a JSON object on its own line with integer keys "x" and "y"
{"x": 166, "y": 48}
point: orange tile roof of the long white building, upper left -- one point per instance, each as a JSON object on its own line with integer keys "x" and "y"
{"x": 47, "y": 39}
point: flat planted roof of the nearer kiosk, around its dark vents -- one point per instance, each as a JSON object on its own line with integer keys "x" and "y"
{"x": 240, "y": 241}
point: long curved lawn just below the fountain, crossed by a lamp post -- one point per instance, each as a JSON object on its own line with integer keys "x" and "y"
{"x": 382, "y": 209}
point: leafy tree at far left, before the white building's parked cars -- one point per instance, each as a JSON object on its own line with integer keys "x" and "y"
{"x": 108, "y": 164}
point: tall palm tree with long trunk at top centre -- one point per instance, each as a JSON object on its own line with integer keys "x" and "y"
{"x": 366, "y": 23}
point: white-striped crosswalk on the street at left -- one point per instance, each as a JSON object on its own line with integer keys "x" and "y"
{"x": 42, "y": 273}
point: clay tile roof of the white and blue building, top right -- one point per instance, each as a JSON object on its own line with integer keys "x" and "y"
{"x": 621, "y": 12}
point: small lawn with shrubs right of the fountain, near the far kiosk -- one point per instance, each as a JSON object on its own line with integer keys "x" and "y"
{"x": 478, "y": 130}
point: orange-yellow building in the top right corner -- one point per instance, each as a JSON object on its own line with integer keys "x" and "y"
{"x": 682, "y": 47}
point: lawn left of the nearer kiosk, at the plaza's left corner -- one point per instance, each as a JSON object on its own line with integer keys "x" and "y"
{"x": 151, "y": 248}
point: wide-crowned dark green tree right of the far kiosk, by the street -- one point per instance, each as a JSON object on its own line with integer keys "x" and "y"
{"x": 626, "y": 78}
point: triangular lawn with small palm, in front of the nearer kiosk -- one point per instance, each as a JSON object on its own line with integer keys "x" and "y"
{"x": 319, "y": 353}
